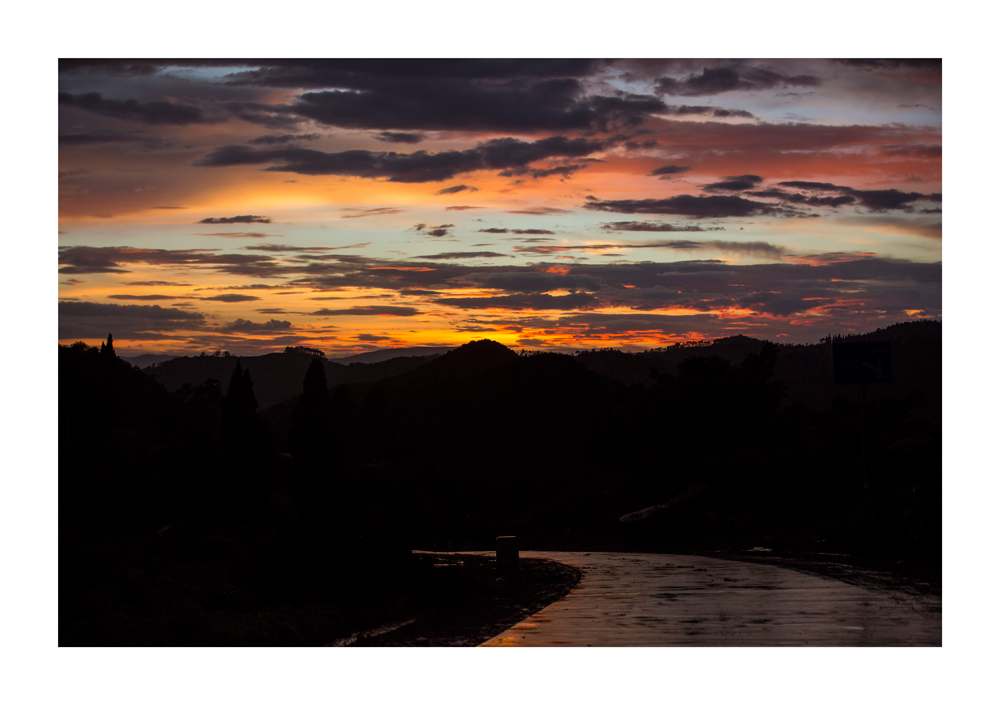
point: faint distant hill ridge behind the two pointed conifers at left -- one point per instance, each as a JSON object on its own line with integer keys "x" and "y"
{"x": 276, "y": 376}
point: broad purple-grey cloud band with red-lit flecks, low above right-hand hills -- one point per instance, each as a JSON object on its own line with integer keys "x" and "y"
{"x": 857, "y": 282}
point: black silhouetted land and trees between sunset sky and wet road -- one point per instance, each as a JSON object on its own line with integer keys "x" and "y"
{"x": 194, "y": 516}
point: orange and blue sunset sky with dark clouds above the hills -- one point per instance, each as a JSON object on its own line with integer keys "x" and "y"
{"x": 351, "y": 205}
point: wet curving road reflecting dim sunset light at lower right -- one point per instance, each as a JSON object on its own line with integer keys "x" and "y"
{"x": 643, "y": 599}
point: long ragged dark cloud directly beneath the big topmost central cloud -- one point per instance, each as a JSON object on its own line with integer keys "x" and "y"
{"x": 415, "y": 167}
